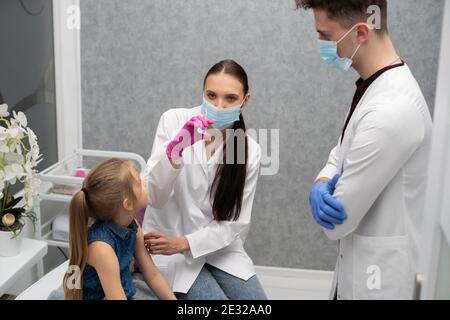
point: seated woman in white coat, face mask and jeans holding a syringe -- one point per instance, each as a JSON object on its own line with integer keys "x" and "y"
{"x": 201, "y": 202}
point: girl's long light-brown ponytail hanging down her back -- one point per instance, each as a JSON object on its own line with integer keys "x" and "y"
{"x": 79, "y": 220}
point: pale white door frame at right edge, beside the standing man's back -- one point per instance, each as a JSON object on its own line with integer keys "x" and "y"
{"x": 437, "y": 206}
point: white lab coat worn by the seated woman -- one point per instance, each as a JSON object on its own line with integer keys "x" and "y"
{"x": 180, "y": 205}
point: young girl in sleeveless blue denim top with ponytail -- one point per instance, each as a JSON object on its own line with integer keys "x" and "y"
{"x": 112, "y": 194}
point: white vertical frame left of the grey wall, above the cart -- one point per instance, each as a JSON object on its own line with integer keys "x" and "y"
{"x": 67, "y": 78}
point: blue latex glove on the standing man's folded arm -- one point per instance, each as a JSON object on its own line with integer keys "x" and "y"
{"x": 326, "y": 210}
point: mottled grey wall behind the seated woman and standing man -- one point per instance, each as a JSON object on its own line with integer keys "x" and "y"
{"x": 142, "y": 57}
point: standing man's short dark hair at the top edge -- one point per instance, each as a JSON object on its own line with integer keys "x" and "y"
{"x": 348, "y": 12}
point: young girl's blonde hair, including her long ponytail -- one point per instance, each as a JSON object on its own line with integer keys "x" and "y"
{"x": 104, "y": 190}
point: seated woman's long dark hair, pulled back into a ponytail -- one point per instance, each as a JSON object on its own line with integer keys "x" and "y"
{"x": 229, "y": 181}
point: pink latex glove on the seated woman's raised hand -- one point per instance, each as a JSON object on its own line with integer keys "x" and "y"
{"x": 188, "y": 136}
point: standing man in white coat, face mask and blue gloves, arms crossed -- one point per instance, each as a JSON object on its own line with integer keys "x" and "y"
{"x": 370, "y": 194}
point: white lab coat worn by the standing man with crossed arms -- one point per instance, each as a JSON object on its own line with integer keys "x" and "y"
{"x": 383, "y": 161}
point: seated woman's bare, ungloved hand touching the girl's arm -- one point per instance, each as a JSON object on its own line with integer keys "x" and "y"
{"x": 162, "y": 244}
